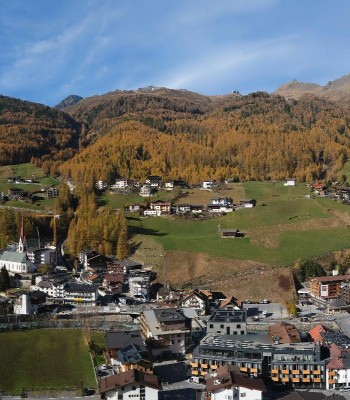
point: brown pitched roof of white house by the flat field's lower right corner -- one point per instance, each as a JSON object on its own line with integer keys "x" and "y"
{"x": 126, "y": 378}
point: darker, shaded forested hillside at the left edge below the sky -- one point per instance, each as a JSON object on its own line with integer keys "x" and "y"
{"x": 30, "y": 131}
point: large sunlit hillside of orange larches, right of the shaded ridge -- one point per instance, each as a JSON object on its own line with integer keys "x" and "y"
{"x": 258, "y": 137}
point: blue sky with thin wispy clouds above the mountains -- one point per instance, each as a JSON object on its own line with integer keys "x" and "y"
{"x": 51, "y": 49}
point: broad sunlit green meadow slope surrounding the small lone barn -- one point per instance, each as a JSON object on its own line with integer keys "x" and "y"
{"x": 287, "y": 227}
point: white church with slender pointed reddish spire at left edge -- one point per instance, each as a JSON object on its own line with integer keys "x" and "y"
{"x": 17, "y": 261}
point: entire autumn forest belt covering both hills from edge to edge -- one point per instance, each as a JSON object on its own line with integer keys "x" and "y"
{"x": 179, "y": 134}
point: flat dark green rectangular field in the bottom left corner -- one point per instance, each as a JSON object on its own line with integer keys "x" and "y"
{"x": 44, "y": 359}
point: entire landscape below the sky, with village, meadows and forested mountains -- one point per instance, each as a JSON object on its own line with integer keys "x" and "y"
{"x": 163, "y": 244}
